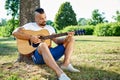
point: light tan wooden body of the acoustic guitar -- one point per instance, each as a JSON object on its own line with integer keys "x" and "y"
{"x": 24, "y": 46}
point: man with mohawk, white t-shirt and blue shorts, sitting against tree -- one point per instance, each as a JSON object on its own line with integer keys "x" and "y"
{"x": 43, "y": 53}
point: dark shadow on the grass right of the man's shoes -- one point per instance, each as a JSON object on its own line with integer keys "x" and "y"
{"x": 91, "y": 73}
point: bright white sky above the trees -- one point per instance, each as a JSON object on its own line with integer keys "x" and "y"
{"x": 82, "y": 8}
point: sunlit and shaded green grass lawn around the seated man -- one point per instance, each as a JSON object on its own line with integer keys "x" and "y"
{"x": 98, "y": 58}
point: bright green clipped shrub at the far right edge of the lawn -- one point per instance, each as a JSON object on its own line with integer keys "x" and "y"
{"x": 108, "y": 29}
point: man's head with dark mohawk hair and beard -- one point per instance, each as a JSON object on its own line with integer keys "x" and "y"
{"x": 40, "y": 17}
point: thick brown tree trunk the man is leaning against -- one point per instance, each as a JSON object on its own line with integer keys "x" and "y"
{"x": 27, "y": 8}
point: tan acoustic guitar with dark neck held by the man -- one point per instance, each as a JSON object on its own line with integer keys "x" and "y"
{"x": 26, "y": 47}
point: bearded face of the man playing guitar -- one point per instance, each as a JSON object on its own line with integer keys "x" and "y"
{"x": 40, "y": 19}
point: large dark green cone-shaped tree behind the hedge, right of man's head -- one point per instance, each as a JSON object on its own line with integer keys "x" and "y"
{"x": 65, "y": 16}
